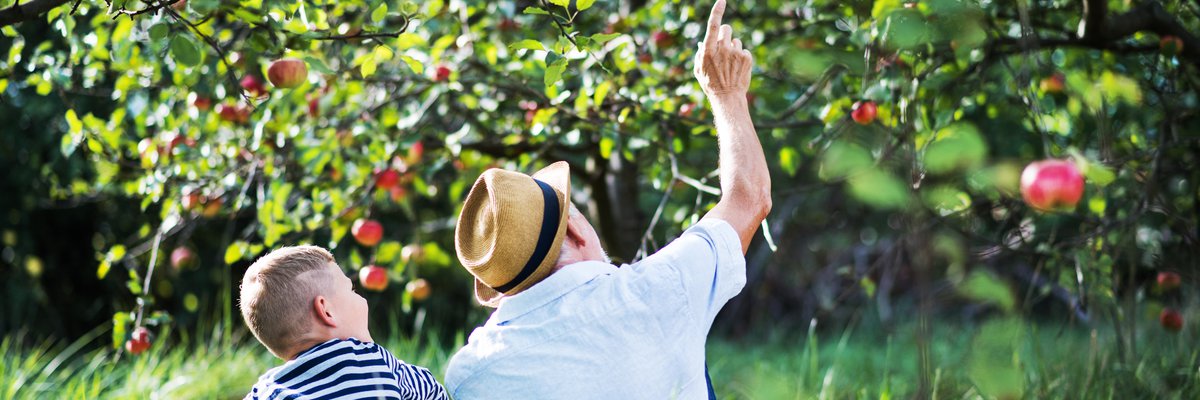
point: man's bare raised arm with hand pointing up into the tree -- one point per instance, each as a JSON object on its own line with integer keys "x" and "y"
{"x": 723, "y": 69}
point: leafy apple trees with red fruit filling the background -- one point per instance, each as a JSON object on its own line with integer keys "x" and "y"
{"x": 165, "y": 111}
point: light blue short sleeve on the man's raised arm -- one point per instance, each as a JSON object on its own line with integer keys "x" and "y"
{"x": 710, "y": 265}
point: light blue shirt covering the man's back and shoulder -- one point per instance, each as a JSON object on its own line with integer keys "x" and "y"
{"x": 595, "y": 331}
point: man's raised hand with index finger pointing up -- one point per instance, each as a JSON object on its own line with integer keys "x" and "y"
{"x": 723, "y": 67}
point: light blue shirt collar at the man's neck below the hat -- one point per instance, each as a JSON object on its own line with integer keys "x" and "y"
{"x": 550, "y": 289}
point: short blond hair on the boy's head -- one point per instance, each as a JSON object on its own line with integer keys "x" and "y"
{"x": 278, "y": 294}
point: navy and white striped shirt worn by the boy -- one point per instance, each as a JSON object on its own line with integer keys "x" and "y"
{"x": 347, "y": 369}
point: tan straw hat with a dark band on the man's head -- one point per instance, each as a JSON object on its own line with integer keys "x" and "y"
{"x": 512, "y": 229}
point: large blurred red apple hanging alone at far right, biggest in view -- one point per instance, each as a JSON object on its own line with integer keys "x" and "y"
{"x": 1052, "y": 186}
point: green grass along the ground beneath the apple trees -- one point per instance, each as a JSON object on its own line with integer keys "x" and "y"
{"x": 965, "y": 363}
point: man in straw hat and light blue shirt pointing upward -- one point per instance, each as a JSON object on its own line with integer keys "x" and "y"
{"x": 568, "y": 325}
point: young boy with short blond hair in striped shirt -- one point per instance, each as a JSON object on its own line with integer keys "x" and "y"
{"x": 302, "y": 307}
